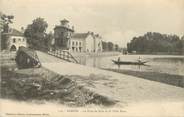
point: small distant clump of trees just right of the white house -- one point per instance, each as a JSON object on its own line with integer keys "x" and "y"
{"x": 109, "y": 46}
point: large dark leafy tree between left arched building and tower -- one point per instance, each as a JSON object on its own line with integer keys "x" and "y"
{"x": 36, "y": 33}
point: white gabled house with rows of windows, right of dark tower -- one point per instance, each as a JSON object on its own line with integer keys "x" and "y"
{"x": 85, "y": 42}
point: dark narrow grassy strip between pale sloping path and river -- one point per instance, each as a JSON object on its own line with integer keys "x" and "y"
{"x": 176, "y": 80}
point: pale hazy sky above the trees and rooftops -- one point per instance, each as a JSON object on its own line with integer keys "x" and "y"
{"x": 115, "y": 20}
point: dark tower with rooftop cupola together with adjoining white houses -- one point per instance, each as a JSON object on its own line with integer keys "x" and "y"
{"x": 66, "y": 39}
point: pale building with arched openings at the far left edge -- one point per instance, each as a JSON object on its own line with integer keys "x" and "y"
{"x": 12, "y": 40}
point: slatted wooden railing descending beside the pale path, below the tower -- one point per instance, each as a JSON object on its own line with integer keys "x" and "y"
{"x": 63, "y": 54}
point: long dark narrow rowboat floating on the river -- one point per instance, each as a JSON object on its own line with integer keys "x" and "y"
{"x": 129, "y": 62}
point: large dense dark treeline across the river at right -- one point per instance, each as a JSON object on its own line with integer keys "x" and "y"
{"x": 153, "y": 42}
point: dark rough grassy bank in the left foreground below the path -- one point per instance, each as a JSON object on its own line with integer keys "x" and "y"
{"x": 42, "y": 84}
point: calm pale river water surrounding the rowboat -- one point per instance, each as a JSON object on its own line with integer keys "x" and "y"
{"x": 169, "y": 64}
